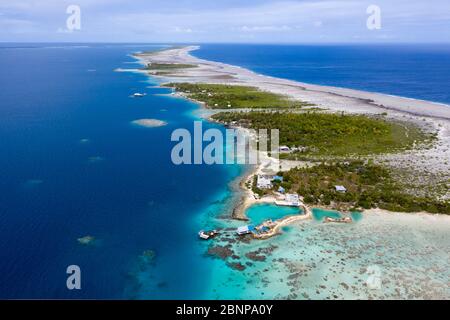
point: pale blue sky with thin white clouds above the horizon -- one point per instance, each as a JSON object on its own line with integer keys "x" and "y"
{"x": 226, "y": 21}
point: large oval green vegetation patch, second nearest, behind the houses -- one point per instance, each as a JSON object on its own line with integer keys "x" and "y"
{"x": 327, "y": 134}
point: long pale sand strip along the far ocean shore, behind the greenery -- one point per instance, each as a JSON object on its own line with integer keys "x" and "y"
{"x": 328, "y": 97}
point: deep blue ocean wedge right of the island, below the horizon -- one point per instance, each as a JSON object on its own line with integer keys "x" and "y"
{"x": 413, "y": 71}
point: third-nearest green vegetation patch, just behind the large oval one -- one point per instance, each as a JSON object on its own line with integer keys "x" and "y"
{"x": 218, "y": 96}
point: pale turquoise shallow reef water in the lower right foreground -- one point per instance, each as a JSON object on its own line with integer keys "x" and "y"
{"x": 383, "y": 256}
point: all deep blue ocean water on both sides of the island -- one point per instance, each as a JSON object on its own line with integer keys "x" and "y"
{"x": 72, "y": 164}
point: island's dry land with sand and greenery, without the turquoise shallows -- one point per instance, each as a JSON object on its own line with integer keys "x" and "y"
{"x": 383, "y": 151}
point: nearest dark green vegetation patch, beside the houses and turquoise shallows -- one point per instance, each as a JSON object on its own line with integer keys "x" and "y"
{"x": 368, "y": 186}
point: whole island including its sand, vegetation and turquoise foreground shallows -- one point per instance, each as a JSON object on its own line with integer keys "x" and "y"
{"x": 361, "y": 186}
